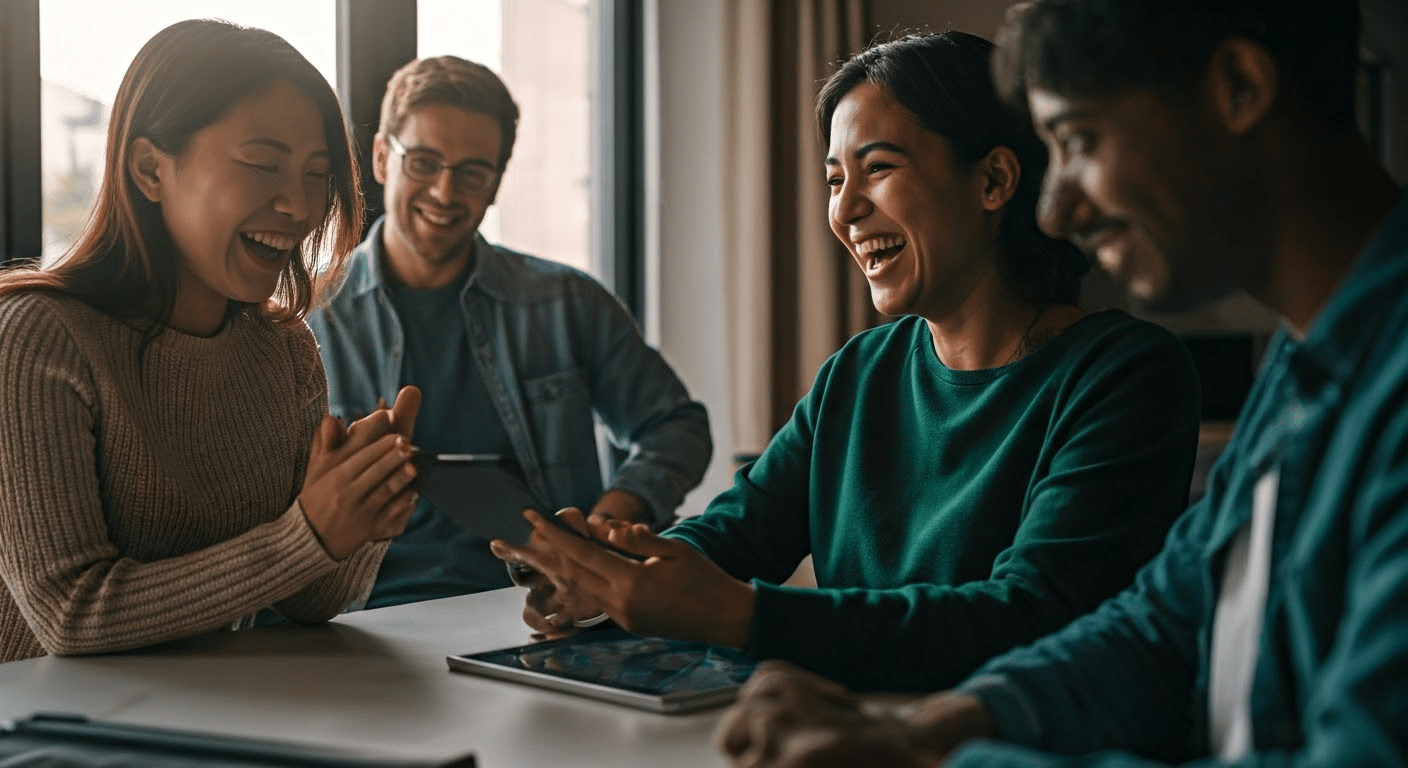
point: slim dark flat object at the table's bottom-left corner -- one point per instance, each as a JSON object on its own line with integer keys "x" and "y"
{"x": 78, "y": 729}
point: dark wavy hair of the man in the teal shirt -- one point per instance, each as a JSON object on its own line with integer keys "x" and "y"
{"x": 1102, "y": 49}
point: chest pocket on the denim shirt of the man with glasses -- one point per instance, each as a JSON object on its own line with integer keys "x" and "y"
{"x": 560, "y": 414}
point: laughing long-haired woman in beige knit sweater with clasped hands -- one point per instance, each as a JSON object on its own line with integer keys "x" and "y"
{"x": 167, "y": 462}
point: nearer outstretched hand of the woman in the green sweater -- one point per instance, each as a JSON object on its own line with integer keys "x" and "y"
{"x": 675, "y": 593}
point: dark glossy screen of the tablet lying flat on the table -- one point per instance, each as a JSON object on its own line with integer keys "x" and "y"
{"x": 616, "y": 659}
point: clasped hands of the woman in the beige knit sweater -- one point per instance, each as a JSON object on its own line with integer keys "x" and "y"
{"x": 360, "y": 480}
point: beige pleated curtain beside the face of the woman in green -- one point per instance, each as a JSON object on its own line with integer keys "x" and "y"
{"x": 795, "y": 295}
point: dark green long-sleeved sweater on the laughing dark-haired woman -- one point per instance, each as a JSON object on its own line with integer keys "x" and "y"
{"x": 954, "y": 515}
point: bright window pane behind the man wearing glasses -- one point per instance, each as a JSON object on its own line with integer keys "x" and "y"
{"x": 541, "y": 51}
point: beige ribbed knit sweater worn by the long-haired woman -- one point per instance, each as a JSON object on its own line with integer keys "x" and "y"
{"x": 142, "y": 504}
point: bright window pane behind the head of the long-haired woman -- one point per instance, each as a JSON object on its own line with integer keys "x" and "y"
{"x": 85, "y": 49}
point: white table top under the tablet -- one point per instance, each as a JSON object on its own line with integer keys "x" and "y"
{"x": 371, "y": 681}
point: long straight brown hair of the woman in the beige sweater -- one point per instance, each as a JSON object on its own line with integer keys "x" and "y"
{"x": 187, "y": 78}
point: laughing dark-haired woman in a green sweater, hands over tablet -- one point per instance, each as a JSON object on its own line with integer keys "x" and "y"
{"x": 967, "y": 478}
